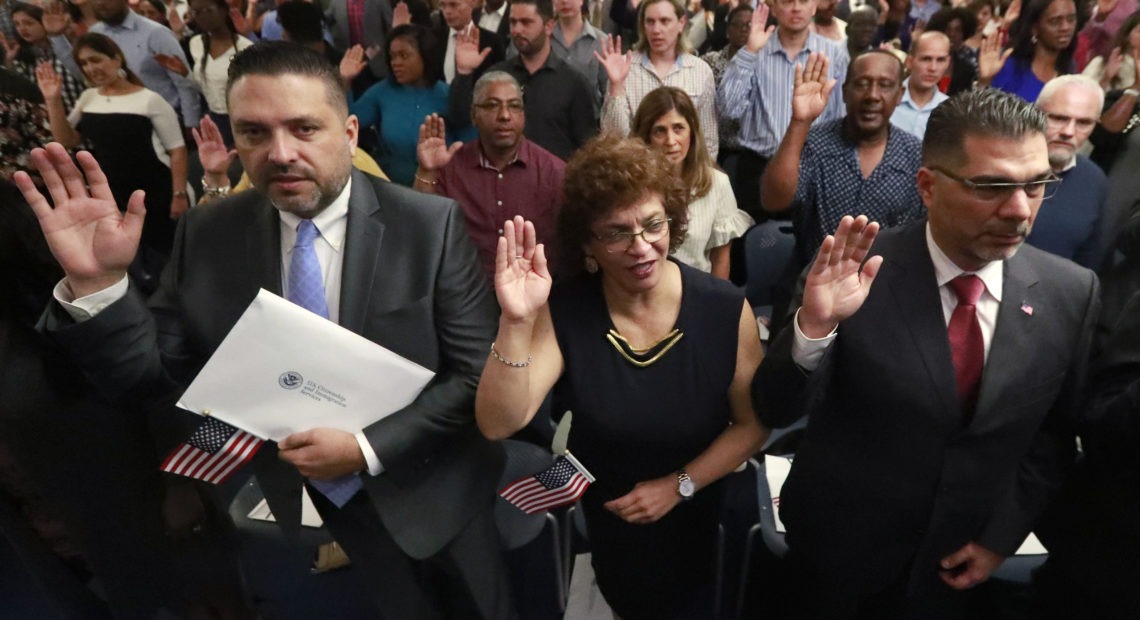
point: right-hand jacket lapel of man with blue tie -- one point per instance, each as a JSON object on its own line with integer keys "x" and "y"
{"x": 362, "y": 254}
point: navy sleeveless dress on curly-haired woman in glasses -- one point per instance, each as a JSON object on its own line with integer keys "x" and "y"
{"x": 633, "y": 425}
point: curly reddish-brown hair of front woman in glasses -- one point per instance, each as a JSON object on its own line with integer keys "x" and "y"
{"x": 609, "y": 174}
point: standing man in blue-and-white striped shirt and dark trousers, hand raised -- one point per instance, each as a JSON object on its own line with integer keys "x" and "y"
{"x": 759, "y": 80}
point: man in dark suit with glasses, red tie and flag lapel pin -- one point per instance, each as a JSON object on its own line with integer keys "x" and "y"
{"x": 941, "y": 399}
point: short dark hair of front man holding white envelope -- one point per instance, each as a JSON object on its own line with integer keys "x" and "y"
{"x": 278, "y": 59}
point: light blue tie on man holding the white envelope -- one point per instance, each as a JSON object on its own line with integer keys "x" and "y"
{"x": 307, "y": 290}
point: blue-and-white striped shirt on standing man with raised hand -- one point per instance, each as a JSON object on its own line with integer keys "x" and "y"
{"x": 758, "y": 88}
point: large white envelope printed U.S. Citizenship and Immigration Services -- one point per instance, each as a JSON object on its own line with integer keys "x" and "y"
{"x": 283, "y": 370}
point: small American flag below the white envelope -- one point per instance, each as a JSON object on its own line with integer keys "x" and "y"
{"x": 214, "y": 453}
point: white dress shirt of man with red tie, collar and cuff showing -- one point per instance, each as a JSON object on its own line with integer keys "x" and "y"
{"x": 807, "y": 353}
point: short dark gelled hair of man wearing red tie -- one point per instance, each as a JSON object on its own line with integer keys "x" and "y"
{"x": 982, "y": 112}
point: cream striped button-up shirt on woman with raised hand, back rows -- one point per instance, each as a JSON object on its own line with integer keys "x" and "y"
{"x": 689, "y": 74}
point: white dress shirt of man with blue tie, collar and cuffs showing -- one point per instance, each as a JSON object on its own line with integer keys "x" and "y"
{"x": 332, "y": 224}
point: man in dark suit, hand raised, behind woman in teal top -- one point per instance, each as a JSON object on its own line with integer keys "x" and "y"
{"x": 462, "y": 38}
